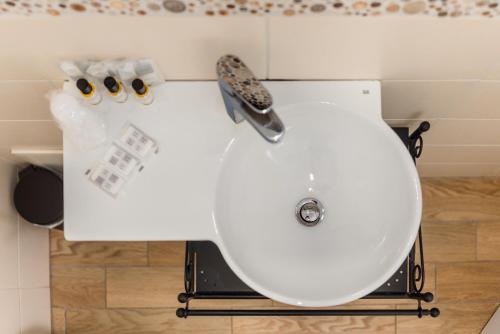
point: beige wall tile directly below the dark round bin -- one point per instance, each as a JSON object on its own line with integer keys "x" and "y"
{"x": 33, "y": 256}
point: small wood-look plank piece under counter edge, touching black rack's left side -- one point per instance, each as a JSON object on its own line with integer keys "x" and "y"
{"x": 167, "y": 253}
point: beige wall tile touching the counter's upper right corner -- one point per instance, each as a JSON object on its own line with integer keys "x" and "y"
{"x": 440, "y": 99}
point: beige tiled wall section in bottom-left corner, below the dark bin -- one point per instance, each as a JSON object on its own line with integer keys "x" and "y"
{"x": 24, "y": 271}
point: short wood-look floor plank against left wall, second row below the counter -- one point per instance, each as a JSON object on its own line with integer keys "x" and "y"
{"x": 78, "y": 287}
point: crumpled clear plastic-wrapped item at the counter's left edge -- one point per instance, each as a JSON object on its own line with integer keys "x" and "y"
{"x": 83, "y": 127}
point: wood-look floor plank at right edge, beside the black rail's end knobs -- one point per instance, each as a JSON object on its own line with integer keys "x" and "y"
{"x": 472, "y": 281}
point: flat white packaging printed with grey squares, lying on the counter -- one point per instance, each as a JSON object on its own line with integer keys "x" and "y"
{"x": 123, "y": 160}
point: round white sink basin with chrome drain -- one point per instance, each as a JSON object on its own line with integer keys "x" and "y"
{"x": 360, "y": 172}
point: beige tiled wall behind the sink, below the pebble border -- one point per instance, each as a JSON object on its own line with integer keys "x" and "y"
{"x": 446, "y": 71}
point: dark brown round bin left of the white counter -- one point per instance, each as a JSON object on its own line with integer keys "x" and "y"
{"x": 38, "y": 196}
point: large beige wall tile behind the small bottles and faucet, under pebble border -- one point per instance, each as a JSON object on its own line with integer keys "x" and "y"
{"x": 184, "y": 48}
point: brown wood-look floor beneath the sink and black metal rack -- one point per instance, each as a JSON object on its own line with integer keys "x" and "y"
{"x": 127, "y": 288}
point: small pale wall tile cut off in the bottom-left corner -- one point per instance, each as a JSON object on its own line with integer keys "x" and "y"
{"x": 9, "y": 312}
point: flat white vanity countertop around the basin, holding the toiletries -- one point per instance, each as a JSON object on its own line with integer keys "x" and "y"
{"x": 173, "y": 197}
